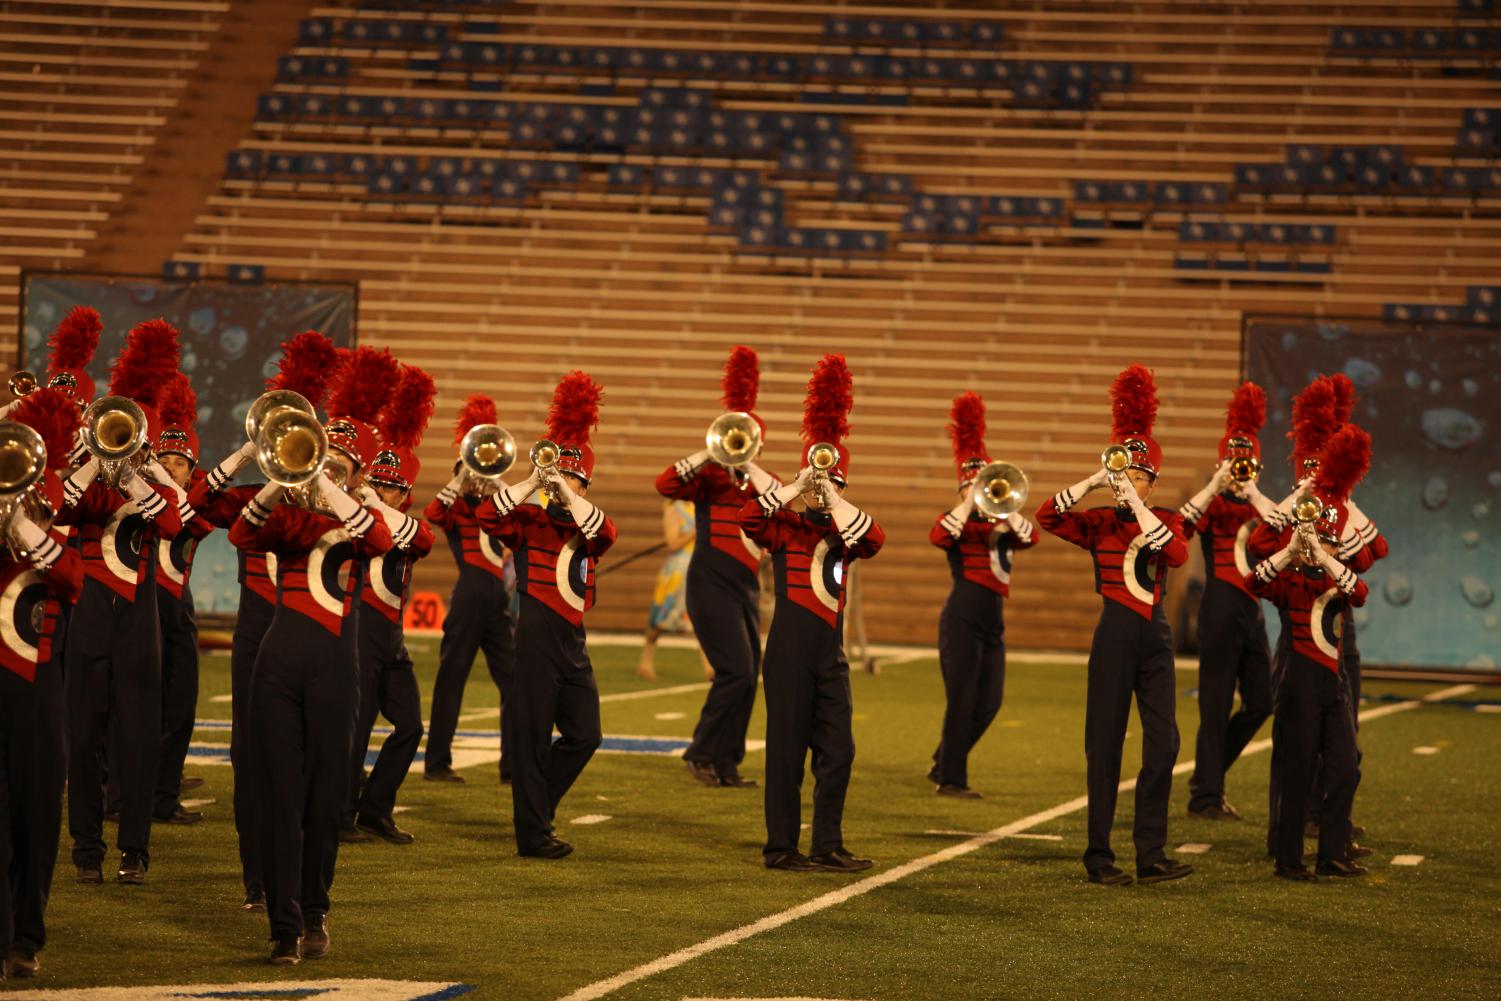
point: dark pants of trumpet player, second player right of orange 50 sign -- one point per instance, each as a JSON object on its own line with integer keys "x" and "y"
{"x": 553, "y": 687}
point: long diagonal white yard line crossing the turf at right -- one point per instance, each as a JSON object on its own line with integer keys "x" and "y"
{"x": 853, "y": 891}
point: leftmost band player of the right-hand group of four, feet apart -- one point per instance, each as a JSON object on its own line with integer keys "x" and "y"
{"x": 1133, "y": 547}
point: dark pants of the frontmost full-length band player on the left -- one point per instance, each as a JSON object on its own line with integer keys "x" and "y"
{"x": 302, "y": 705}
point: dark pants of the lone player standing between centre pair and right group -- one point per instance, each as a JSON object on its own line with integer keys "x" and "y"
{"x": 972, "y": 655}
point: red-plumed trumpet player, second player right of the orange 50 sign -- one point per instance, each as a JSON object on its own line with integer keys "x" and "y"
{"x": 556, "y": 550}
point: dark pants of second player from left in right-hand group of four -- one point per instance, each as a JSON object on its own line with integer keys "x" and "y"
{"x": 1233, "y": 655}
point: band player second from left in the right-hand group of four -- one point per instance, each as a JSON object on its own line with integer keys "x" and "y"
{"x": 1232, "y": 630}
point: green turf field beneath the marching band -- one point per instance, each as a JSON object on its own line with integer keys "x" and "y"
{"x": 678, "y": 865}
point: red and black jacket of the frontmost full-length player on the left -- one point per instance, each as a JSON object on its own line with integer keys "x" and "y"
{"x": 317, "y": 558}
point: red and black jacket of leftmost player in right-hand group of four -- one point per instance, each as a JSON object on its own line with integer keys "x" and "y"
{"x": 1130, "y": 568}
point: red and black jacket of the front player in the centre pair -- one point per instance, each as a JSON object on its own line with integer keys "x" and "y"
{"x": 810, "y": 556}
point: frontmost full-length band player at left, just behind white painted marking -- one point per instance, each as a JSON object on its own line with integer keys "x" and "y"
{"x": 305, "y": 679}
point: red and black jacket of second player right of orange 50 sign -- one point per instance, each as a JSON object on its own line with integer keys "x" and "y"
{"x": 555, "y": 559}
